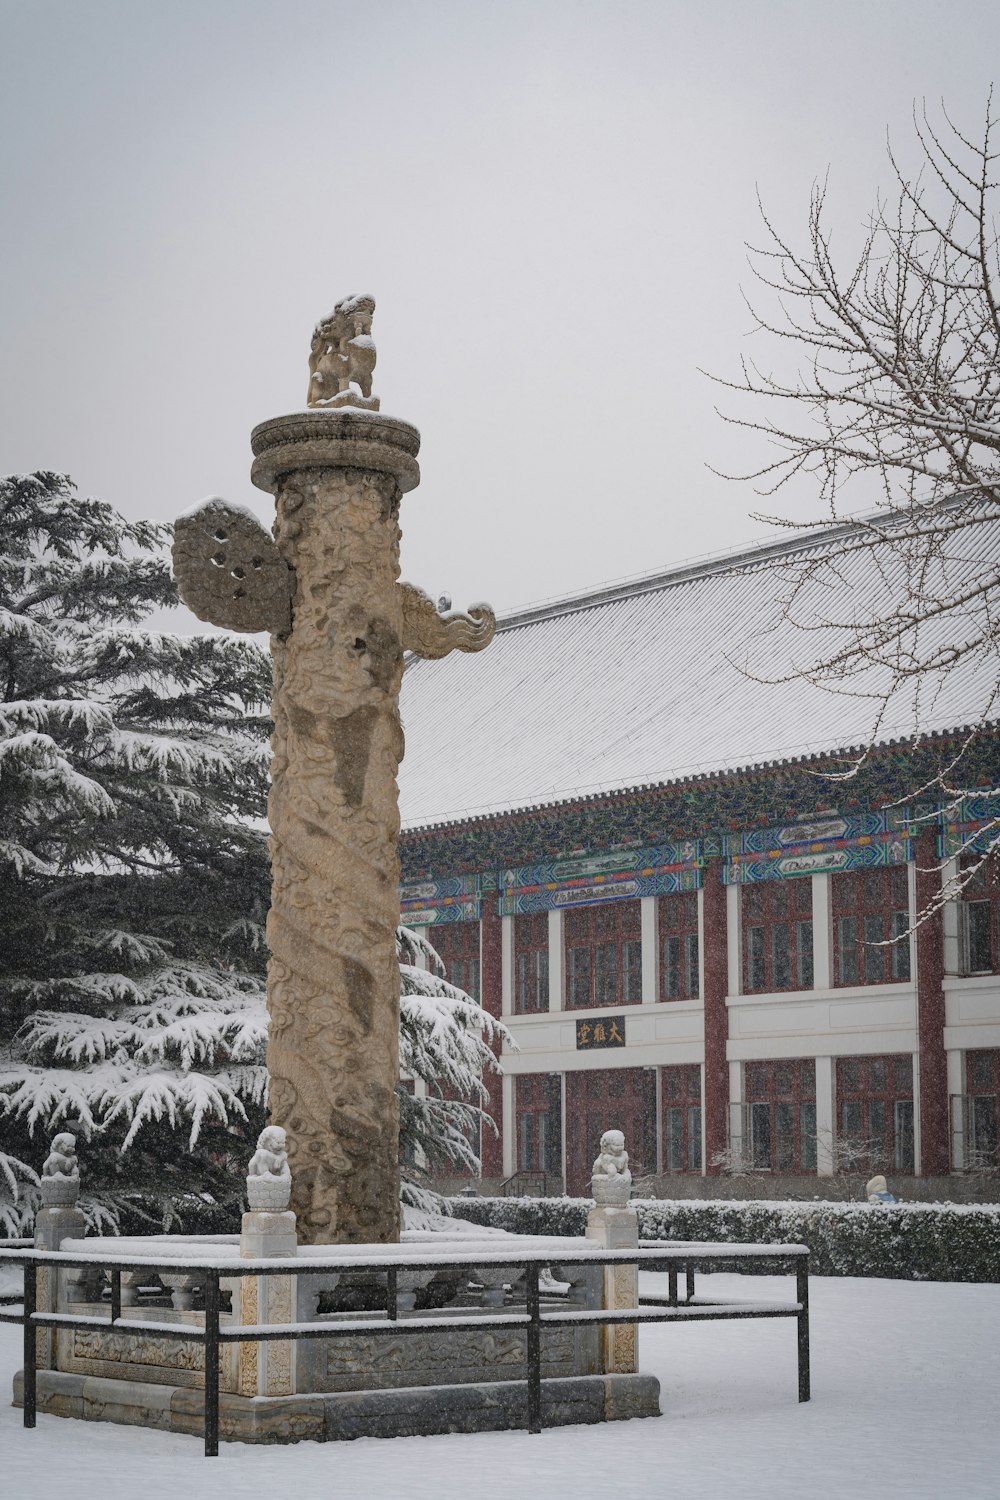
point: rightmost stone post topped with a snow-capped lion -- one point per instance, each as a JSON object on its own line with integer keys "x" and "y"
{"x": 614, "y": 1225}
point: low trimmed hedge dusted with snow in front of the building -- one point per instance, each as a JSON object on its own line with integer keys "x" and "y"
{"x": 905, "y": 1241}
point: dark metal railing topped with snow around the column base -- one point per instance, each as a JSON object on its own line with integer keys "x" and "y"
{"x": 648, "y": 1310}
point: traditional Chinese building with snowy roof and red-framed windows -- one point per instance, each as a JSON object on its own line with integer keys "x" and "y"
{"x": 624, "y": 842}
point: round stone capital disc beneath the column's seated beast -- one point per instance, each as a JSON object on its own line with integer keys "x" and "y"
{"x": 337, "y": 437}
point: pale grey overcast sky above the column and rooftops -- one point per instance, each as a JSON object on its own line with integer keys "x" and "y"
{"x": 548, "y": 200}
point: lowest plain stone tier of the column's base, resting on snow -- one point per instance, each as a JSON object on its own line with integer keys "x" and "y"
{"x": 416, "y": 1412}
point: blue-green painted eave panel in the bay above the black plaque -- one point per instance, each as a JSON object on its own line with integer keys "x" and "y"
{"x": 615, "y": 875}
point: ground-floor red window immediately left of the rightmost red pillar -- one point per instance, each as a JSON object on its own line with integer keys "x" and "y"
{"x": 875, "y": 1114}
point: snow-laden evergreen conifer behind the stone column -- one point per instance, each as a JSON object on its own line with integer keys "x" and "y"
{"x": 134, "y": 886}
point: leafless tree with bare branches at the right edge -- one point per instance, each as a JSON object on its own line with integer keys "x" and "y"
{"x": 894, "y": 409}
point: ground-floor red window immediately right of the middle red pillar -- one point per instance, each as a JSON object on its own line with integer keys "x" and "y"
{"x": 780, "y": 1115}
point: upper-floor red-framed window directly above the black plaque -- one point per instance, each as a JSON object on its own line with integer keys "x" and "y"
{"x": 603, "y": 955}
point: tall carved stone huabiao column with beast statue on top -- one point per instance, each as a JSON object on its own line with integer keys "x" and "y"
{"x": 326, "y": 589}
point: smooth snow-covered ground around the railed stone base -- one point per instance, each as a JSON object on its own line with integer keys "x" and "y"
{"x": 905, "y": 1405}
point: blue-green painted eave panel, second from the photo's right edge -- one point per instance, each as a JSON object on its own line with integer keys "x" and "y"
{"x": 825, "y": 845}
